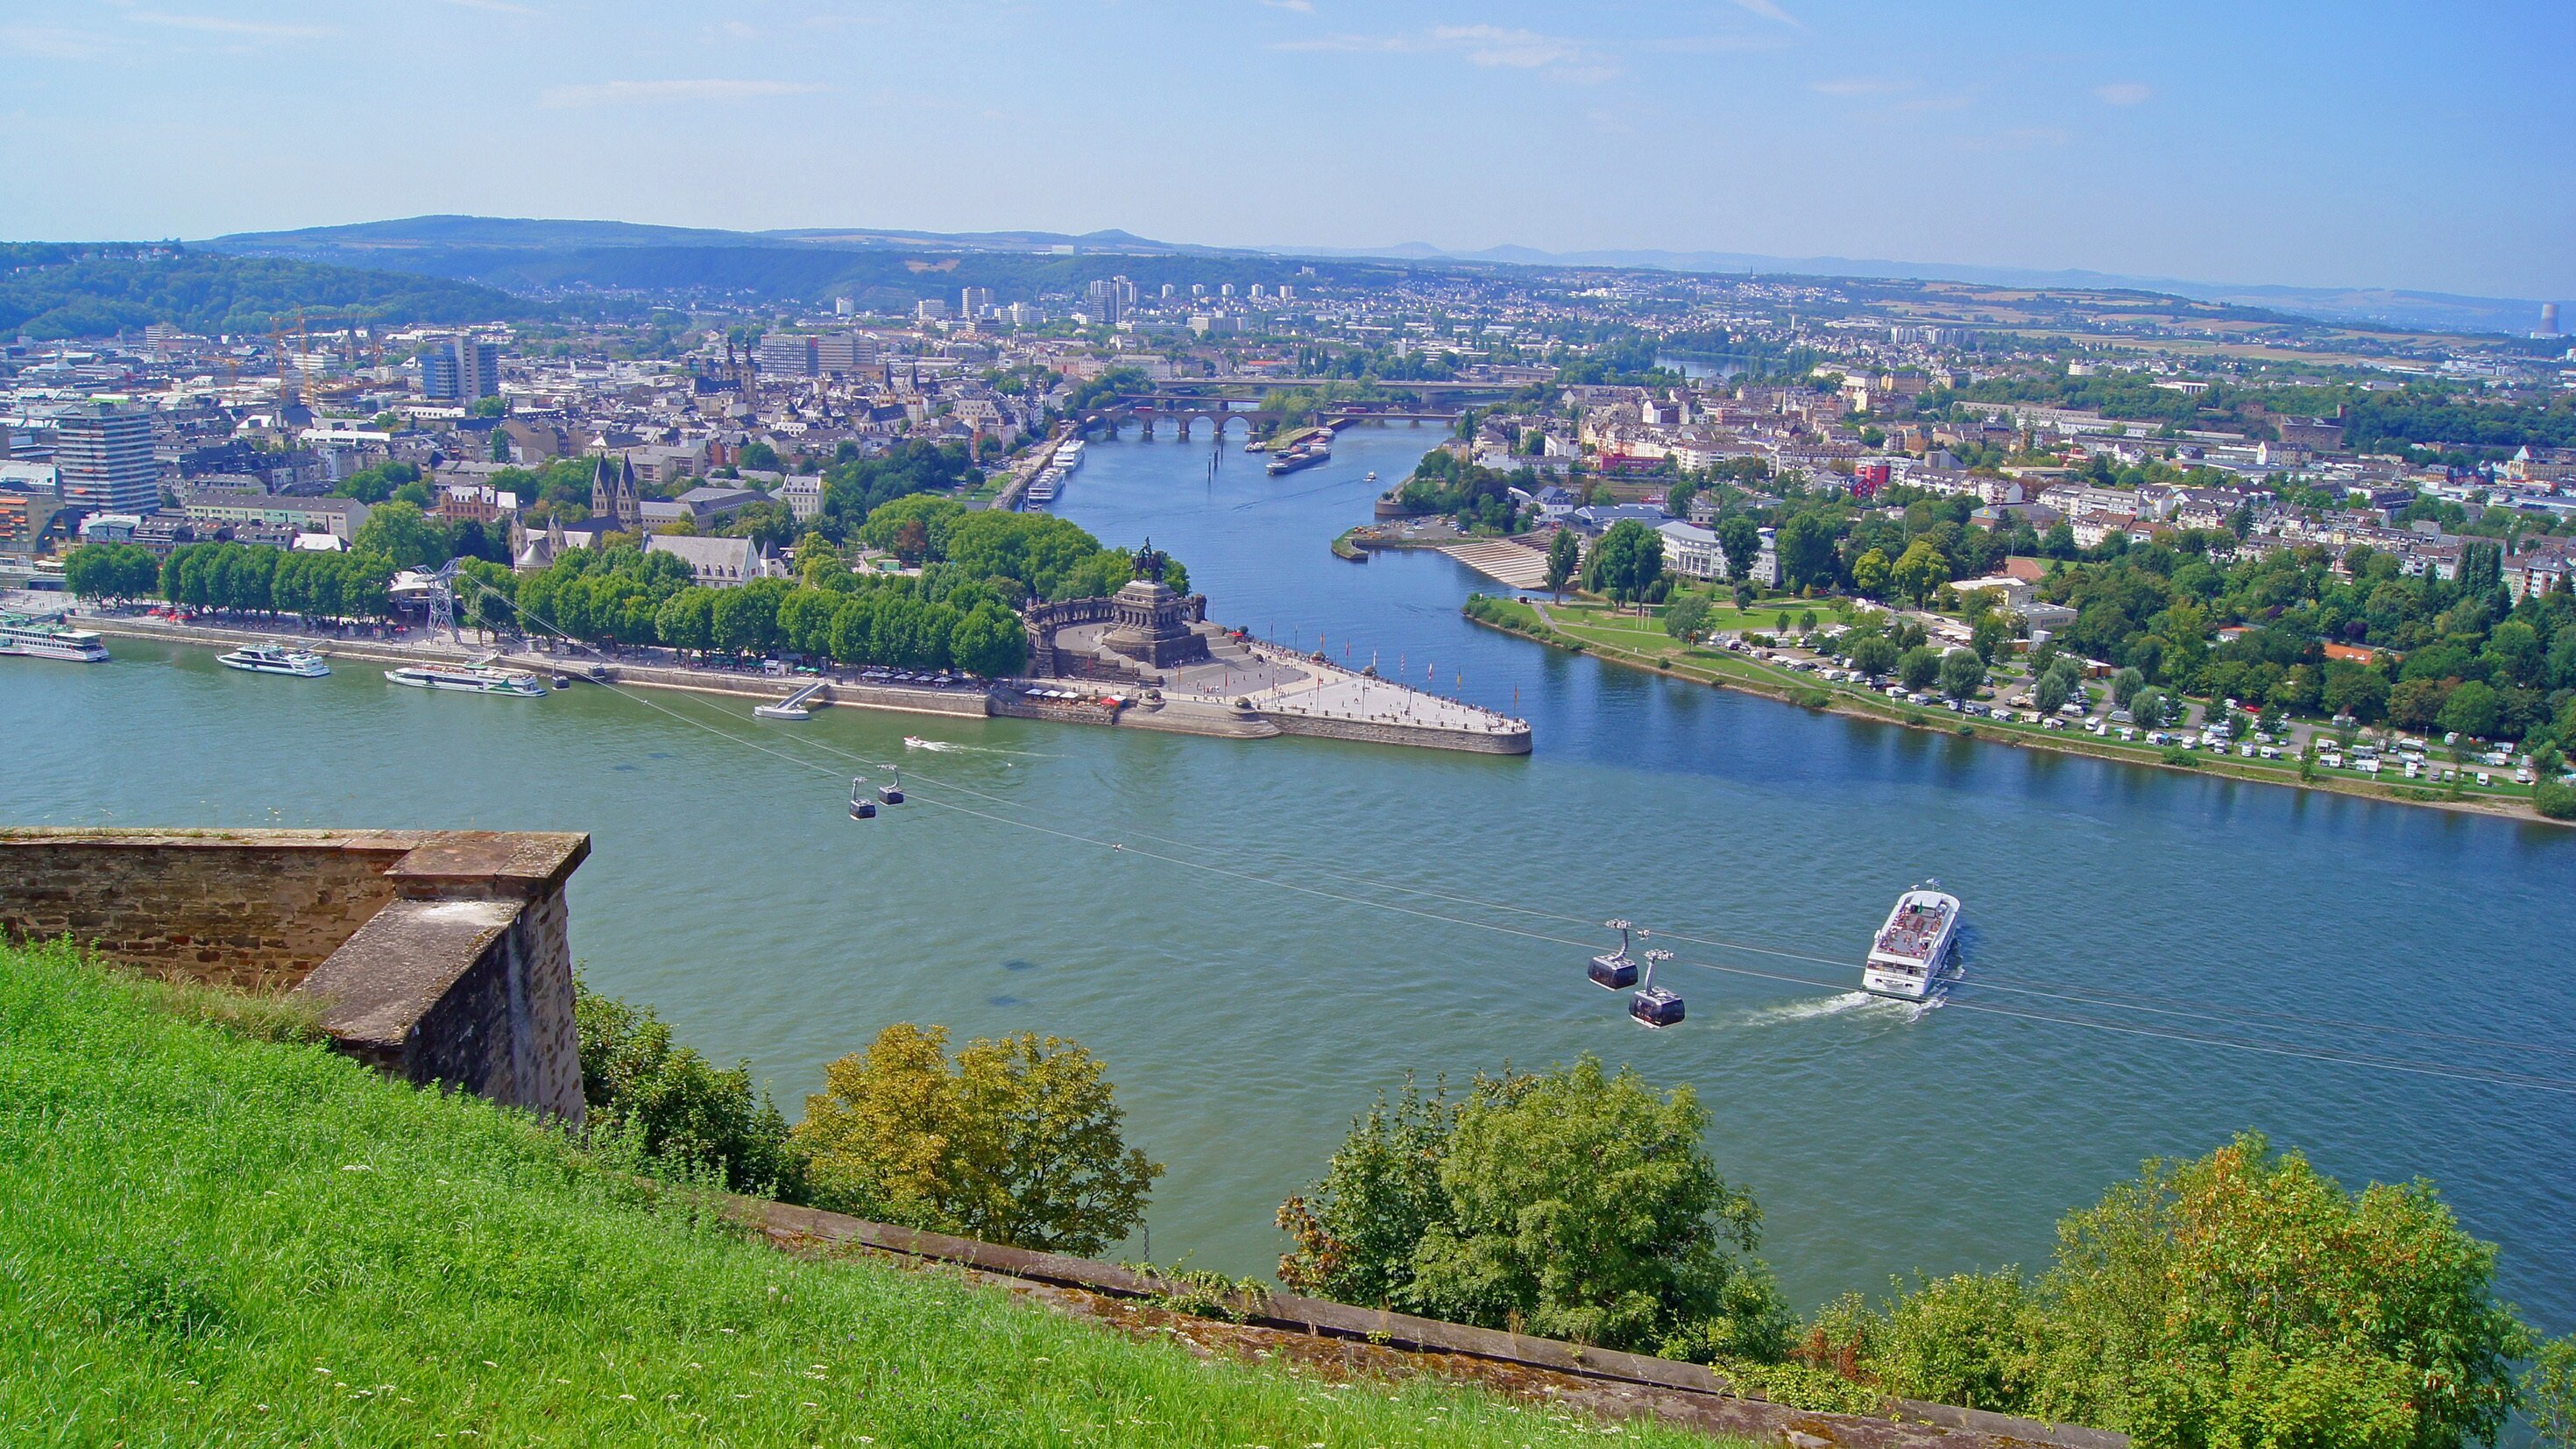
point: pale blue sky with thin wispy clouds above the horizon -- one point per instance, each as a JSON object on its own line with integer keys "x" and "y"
{"x": 2250, "y": 143}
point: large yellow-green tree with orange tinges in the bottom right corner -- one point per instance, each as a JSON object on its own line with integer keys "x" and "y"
{"x": 2248, "y": 1298}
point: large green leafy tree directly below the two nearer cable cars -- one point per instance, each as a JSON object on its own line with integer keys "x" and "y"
{"x": 1570, "y": 1203}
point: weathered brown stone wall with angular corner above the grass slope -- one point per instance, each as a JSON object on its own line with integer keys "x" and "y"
{"x": 434, "y": 956}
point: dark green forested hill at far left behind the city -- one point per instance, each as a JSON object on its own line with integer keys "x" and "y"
{"x": 94, "y": 292}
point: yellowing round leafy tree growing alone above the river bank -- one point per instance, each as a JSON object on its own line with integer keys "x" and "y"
{"x": 1016, "y": 1141}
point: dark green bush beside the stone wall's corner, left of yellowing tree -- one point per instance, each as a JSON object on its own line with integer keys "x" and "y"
{"x": 684, "y": 1108}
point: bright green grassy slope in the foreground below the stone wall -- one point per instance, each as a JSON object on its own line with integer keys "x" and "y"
{"x": 215, "y": 1232}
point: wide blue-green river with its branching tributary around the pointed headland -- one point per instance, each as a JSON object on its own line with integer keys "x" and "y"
{"x": 1356, "y": 915}
